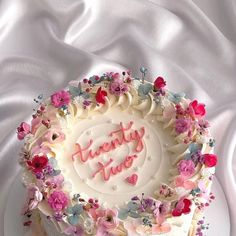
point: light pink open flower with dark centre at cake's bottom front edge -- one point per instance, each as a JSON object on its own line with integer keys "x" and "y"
{"x": 108, "y": 221}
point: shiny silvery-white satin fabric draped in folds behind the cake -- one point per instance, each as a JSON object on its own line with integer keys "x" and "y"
{"x": 46, "y": 43}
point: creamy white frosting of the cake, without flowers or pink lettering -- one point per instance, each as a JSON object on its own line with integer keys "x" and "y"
{"x": 154, "y": 165}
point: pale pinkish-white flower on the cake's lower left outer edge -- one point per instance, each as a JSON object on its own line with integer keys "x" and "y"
{"x": 34, "y": 196}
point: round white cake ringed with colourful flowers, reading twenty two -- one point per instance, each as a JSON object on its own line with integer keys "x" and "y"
{"x": 117, "y": 155}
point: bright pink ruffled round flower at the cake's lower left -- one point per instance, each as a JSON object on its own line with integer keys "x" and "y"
{"x": 58, "y": 200}
